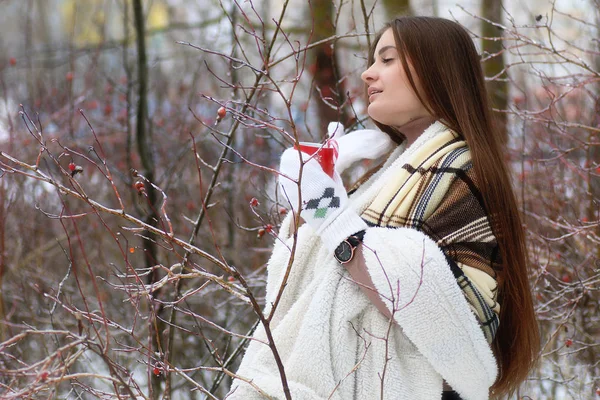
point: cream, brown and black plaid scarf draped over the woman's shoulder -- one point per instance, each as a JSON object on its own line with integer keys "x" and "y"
{"x": 436, "y": 193}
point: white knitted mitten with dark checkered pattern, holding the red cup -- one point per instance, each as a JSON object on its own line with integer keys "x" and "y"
{"x": 324, "y": 199}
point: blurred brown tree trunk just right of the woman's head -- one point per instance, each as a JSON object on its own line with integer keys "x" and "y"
{"x": 498, "y": 88}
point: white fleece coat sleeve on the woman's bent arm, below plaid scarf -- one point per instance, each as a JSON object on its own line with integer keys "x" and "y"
{"x": 414, "y": 280}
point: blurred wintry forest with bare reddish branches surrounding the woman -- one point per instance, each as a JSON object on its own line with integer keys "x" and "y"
{"x": 136, "y": 218}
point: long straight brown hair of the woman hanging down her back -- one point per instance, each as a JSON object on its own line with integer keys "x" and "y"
{"x": 443, "y": 56}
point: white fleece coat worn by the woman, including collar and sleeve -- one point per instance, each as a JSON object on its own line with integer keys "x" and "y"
{"x": 336, "y": 345}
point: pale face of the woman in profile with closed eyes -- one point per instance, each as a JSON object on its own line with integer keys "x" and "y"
{"x": 392, "y": 101}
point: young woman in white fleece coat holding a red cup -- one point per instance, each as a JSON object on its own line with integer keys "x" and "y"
{"x": 414, "y": 285}
